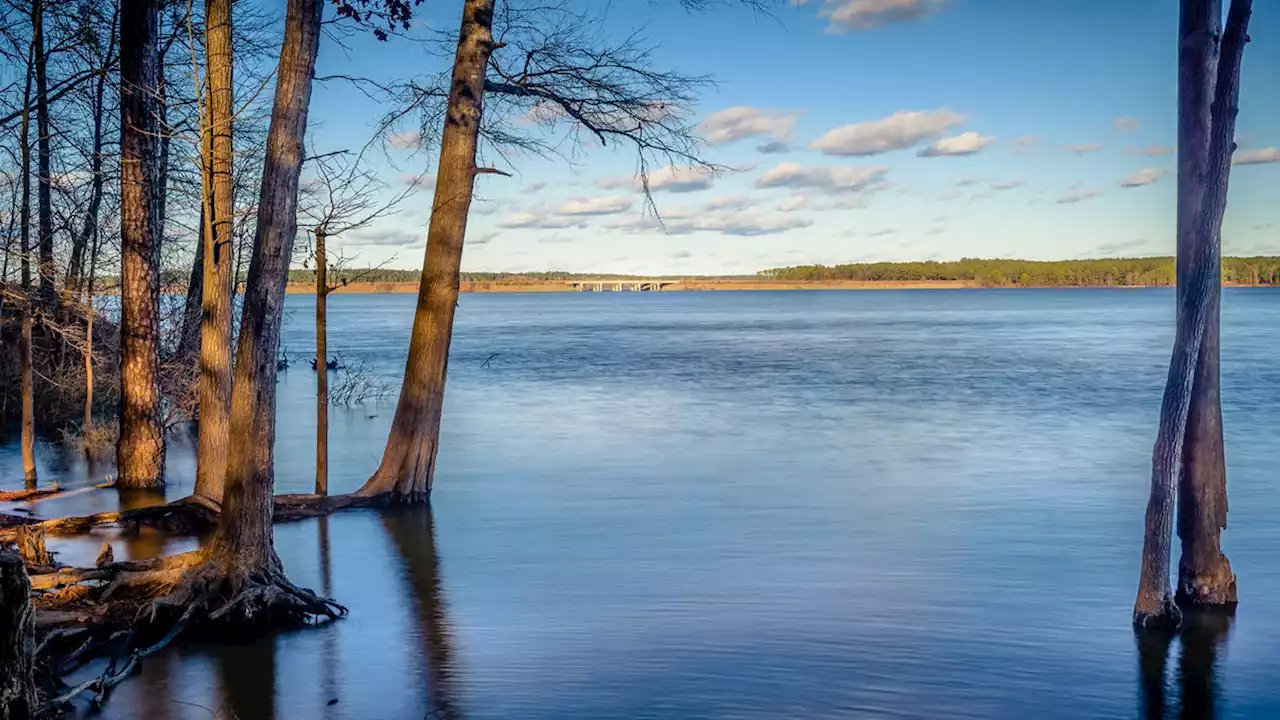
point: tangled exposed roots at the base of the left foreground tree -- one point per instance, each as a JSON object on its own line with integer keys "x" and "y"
{"x": 139, "y": 609}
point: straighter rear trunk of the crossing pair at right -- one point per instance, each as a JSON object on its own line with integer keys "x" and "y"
{"x": 1205, "y": 573}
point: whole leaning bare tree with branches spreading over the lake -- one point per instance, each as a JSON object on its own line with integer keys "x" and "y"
{"x": 547, "y": 62}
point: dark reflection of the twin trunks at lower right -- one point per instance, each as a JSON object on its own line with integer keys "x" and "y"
{"x": 1204, "y": 637}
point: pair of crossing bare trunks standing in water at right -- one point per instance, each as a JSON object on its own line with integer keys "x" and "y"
{"x": 1188, "y": 453}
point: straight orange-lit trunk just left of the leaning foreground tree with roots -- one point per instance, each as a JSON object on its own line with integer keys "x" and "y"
{"x": 216, "y": 325}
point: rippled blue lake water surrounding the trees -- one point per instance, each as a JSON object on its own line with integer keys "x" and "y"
{"x": 753, "y": 505}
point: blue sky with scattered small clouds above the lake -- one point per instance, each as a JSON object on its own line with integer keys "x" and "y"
{"x": 899, "y": 130}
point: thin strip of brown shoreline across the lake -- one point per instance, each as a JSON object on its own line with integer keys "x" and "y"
{"x": 703, "y": 285}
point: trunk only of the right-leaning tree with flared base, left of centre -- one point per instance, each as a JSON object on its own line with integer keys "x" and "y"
{"x": 409, "y": 461}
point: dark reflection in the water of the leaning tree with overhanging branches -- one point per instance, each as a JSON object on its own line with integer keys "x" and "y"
{"x": 413, "y": 532}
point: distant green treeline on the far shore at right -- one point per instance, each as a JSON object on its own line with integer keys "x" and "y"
{"x": 1128, "y": 272}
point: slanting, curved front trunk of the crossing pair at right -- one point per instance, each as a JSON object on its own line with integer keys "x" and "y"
{"x": 1203, "y": 275}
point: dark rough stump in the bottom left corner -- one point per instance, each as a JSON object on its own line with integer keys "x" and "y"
{"x": 17, "y": 641}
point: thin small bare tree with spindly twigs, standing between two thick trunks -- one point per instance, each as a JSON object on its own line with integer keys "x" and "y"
{"x": 341, "y": 198}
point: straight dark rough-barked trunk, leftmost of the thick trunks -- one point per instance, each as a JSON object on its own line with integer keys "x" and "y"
{"x": 140, "y": 453}
